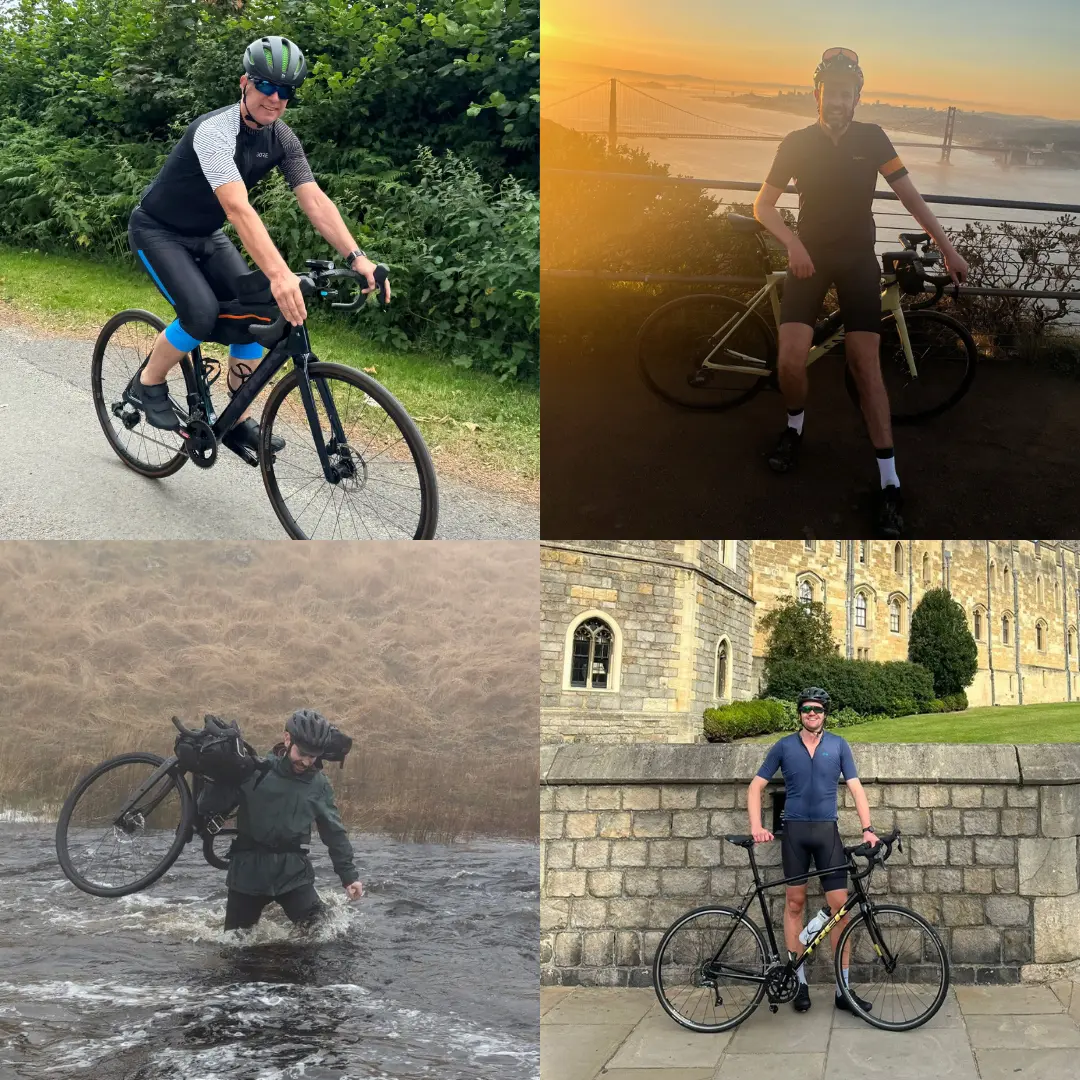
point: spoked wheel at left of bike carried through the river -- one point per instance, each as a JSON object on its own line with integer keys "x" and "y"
{"x": 112, "y": 854}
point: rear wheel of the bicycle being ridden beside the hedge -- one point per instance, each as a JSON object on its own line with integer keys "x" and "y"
{"x": 120, "y": 352}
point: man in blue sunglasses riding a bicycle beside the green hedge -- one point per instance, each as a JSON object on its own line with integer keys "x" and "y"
{"x": 177, "y": 229}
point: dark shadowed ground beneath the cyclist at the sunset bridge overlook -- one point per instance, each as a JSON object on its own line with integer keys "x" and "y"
{"x": 619, "y": 463}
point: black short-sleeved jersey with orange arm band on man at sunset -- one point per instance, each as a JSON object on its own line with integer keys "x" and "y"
{"x": 835, "y": 182}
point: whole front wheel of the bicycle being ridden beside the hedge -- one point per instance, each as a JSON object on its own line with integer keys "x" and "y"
{"x": 383, "y": 484}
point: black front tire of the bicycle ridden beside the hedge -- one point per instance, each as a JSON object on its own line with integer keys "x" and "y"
{"x": 428, "y": 518}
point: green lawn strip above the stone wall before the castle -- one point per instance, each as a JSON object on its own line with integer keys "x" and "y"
{"x": 1004, "y": 724}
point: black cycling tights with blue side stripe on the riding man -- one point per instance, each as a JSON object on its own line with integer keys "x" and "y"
{"x": 193, "y": 273}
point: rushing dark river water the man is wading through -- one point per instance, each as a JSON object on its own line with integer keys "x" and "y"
{"x": 435, "y": 974}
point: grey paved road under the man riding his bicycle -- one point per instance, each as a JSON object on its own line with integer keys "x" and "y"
{"x": 61, "y": 481}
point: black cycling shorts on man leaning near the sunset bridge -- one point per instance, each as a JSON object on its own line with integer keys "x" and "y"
{"x": 857, "y": 275}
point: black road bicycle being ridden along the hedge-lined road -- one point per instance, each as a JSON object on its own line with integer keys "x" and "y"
{"x": 355, "y": 465}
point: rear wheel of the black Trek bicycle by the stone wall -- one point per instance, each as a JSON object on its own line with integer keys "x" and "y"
{"x": 698, "y": 993}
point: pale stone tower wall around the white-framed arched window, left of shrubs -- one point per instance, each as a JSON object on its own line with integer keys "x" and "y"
{"x": 669, "y": 603}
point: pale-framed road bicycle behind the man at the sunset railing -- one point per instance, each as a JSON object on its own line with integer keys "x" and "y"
{"x": 709, "y": 352}
